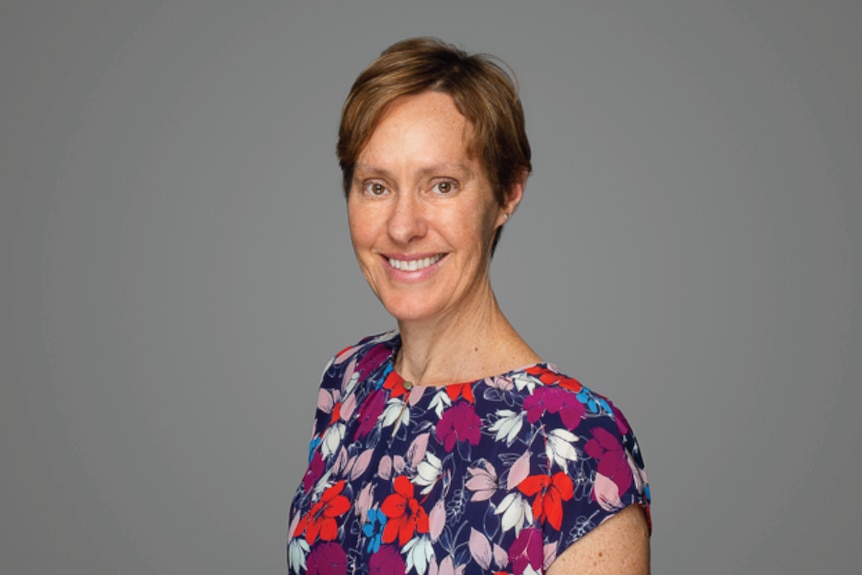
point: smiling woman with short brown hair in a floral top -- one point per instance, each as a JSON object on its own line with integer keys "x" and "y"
{"x": 449, "y": 446}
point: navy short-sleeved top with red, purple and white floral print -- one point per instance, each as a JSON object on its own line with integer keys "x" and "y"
{"x": 498, "y": 475}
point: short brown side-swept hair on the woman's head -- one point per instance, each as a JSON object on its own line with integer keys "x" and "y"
{"x": 483, "y": 92}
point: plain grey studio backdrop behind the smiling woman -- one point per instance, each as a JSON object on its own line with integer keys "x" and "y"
{"x": 176, "y": 268}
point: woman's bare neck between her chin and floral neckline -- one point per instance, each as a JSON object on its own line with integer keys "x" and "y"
{"x": 457, "y": 348}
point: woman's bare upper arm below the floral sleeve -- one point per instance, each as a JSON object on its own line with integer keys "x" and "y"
{"x": 619, "y": 546}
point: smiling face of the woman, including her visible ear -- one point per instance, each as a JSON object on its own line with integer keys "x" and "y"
{"x": 422, "y": 214}
